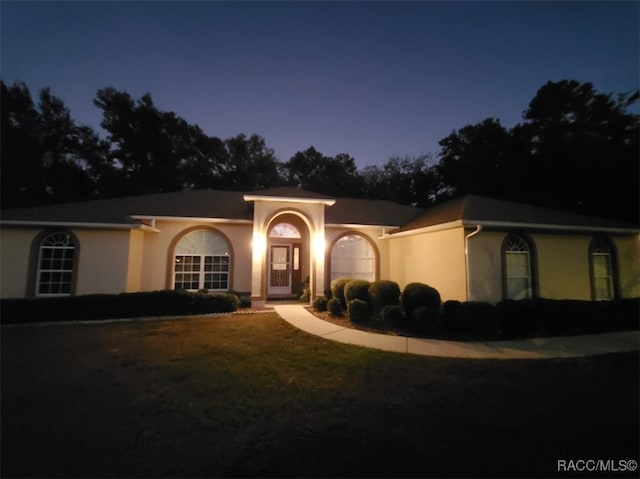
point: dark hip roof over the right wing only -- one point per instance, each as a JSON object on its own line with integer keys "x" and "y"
{"x": 479, "y": 210}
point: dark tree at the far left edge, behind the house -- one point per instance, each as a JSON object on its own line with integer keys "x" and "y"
{"x": 44, "y": 153}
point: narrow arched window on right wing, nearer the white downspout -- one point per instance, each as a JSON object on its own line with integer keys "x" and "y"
{"x": 518, "y": 270}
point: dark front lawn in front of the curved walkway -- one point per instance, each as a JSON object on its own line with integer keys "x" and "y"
{"x": 249, "y": 395}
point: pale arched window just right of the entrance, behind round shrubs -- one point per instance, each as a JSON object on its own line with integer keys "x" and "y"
{"x": 353, "y": 257}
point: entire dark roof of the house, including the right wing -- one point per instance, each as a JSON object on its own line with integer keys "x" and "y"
{"x": 470, "y": 210}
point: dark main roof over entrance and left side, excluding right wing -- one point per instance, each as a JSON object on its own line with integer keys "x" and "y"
{"x": 215, "y": 204}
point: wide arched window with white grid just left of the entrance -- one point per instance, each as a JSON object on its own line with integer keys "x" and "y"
{"x": 202, "y": 260}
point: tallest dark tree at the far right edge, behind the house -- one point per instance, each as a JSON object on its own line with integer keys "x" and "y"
{"x": 584, "y": 152}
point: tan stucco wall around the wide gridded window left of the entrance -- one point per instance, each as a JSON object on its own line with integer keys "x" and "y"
{"x": 156, "y": 264}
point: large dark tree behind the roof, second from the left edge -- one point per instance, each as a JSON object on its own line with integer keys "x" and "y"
{"x": 154, "y": 151}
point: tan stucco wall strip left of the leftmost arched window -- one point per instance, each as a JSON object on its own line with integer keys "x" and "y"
{"x": 15, "y": 248}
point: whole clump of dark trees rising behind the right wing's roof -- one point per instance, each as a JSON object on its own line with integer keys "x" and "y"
{"x": 576, "y": 149}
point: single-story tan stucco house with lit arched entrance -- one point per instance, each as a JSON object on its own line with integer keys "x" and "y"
{"x": 268, "y": 243}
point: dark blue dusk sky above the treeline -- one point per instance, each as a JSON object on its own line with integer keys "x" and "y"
{"x": 372, "y": 79}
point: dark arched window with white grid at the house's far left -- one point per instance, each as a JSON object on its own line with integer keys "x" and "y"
{"x": 56, "y": 261}
